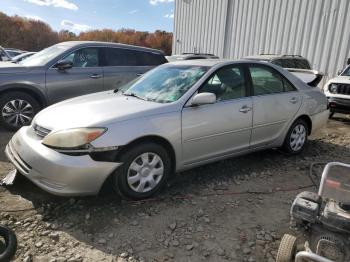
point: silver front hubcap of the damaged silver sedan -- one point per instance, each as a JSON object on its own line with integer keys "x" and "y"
{"x": 145, "y": 172}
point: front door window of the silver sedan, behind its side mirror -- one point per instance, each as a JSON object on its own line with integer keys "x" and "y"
{"x": 227, "y": 83}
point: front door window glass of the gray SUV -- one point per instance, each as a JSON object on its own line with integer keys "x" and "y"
{"x": 85, "y": 57}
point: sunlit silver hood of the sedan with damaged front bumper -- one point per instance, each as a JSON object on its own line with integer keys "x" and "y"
{"x": 99, "y": 109}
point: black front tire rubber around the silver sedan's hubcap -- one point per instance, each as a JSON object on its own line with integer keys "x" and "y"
{"x": 120, "y": 177}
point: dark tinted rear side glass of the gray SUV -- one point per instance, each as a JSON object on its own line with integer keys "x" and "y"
{"x": 129, "y": 57}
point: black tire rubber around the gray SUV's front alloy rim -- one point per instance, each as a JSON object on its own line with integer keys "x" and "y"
{"x": 7, "y": 97}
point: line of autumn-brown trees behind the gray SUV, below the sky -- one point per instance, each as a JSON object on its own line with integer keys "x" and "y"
{"x": 33, "y": 35}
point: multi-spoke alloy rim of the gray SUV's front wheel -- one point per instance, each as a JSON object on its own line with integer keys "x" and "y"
{"x": 17, "y": 112}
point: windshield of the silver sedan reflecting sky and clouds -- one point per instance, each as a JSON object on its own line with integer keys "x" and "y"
{"x": 165, "y": 84}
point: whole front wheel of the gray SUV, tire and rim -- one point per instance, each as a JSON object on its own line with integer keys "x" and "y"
{"x": 26, "y": 105}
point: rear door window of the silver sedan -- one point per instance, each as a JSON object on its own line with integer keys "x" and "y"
{"x": 265, "y": 81}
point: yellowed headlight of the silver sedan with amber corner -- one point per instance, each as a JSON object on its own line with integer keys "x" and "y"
{"x": 73, "y": 138}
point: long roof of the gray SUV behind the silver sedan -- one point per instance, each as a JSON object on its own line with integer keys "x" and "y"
{"x": 109, "y": 44}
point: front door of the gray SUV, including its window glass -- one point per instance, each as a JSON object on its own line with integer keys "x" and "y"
{"x": 86, "y": 76}
